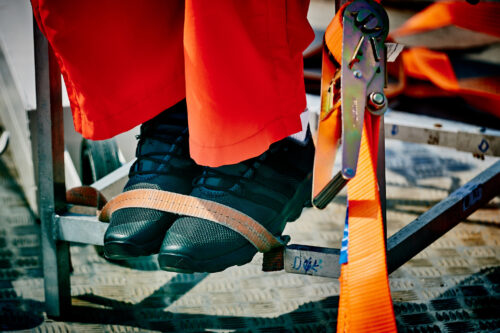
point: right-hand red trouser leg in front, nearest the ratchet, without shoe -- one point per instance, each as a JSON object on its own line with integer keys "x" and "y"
{"x": 244, "y": 75}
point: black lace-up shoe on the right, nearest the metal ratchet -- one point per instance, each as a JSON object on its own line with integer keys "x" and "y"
{"x": 271, "y": 188}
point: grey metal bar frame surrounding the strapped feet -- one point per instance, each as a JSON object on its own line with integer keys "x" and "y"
{"x": 60, "y": 227}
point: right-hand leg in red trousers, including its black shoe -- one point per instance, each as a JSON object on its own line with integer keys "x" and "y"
{"x": 245, "y": 92}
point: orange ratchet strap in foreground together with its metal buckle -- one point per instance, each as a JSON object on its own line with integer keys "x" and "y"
{"x": 365, "y": 301}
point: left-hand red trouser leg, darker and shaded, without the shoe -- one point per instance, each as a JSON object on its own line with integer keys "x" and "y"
{"x": 121, "y": 60}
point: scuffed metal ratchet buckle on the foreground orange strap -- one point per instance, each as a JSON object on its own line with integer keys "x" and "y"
{"x": 362, "y": 81}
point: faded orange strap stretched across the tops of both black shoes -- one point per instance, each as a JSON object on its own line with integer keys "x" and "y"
{"x": 187, "y": 205}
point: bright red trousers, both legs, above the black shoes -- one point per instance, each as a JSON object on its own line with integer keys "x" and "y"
{"x": 237, "y": 63}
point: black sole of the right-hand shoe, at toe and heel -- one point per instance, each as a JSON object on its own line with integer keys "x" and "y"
{"x": 175, "y": 262}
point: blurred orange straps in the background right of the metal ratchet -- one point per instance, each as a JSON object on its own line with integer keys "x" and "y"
{"x": 481, "y": 90}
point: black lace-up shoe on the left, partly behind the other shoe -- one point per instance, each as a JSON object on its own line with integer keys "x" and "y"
{"x": 163, "y": 163}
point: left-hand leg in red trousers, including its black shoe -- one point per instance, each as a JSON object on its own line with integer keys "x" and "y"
{"x": 122, "y": 63}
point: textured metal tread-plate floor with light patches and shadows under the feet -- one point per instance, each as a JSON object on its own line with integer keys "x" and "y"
{"x": 453, "y": 286}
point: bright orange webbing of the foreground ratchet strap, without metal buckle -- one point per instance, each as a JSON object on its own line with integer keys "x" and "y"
{"x": 365, "y": 301}
